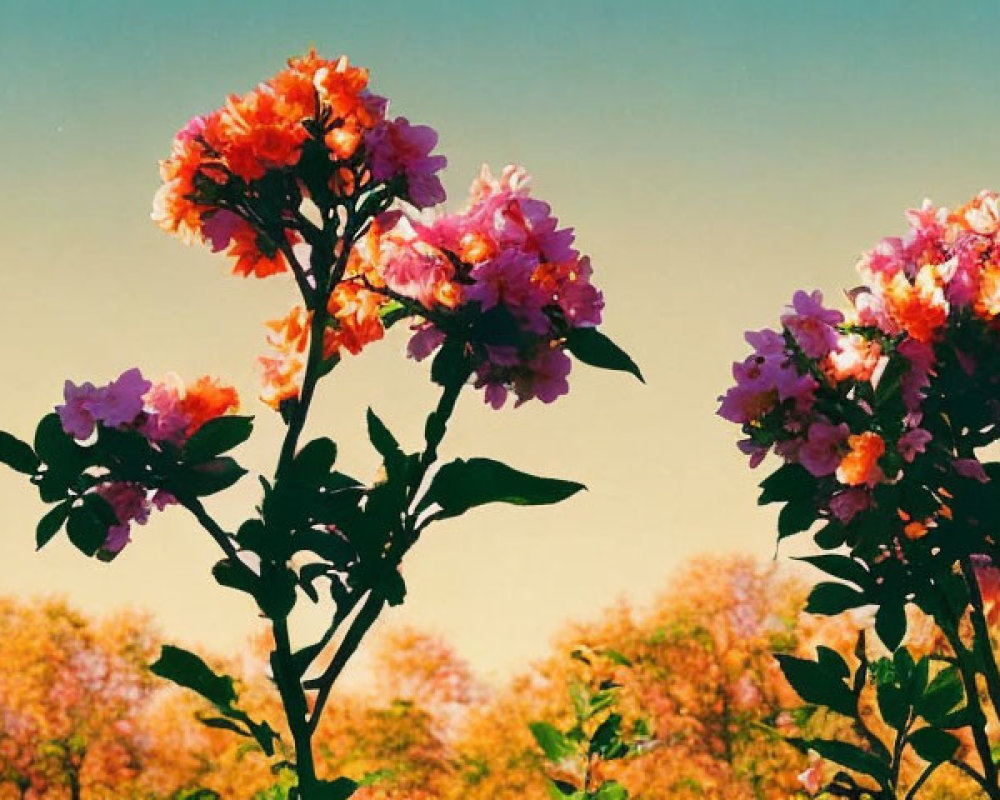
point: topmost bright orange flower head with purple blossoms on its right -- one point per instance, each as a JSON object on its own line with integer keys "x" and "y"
{"x": 236, "y": 178}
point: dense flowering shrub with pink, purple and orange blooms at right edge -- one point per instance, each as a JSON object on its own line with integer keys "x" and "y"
{"x": 879, "y": 415}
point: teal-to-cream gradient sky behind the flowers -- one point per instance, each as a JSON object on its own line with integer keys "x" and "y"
{"x": 712, "y": 156}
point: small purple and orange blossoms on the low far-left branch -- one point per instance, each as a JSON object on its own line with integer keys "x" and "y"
{"x": 164, "y": 413}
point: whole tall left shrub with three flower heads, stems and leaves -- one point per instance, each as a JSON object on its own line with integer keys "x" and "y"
{"x": 307, "y": 175}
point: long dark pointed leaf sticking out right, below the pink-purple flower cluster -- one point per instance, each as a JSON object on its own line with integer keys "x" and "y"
{"x": 464, "y": 484}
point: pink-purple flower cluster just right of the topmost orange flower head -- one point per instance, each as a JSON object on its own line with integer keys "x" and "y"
{"x": 503, "y": 276}
